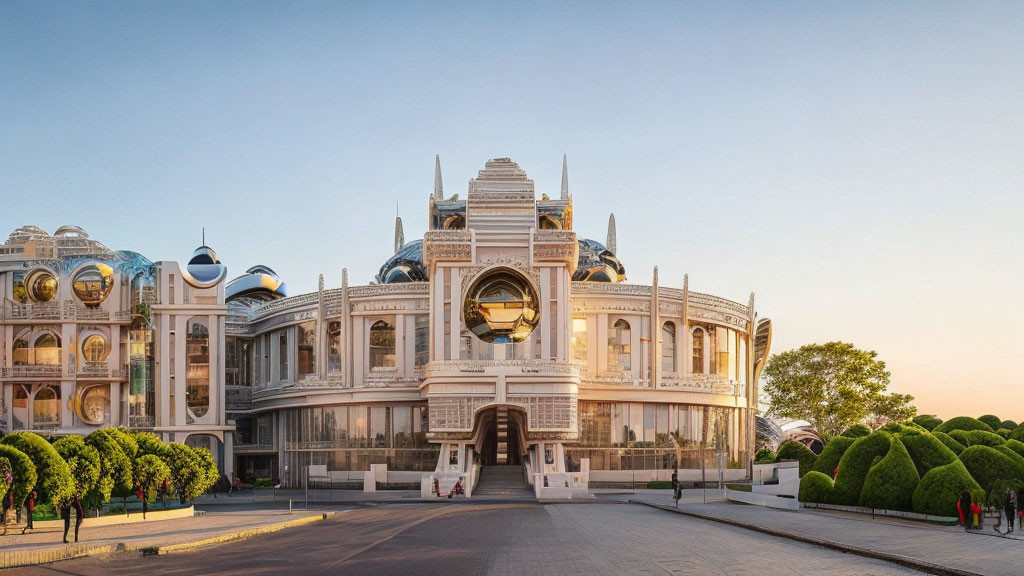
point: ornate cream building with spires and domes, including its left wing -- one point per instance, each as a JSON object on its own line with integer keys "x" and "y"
{"x": 499, "y": 339}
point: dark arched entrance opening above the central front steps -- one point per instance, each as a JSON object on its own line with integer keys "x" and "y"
{"x": 500, "y": 434}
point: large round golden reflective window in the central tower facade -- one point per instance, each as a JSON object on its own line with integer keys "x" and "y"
{"x": 502, "y": 307}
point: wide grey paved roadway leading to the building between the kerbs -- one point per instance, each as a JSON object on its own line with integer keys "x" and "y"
{"x": 499, "y": 540}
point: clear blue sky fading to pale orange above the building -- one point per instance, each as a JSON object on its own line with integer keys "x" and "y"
{"x": 860, "y": 166}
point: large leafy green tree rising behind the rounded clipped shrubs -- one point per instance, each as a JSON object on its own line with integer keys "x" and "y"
{"x": 832, "y": 386}
